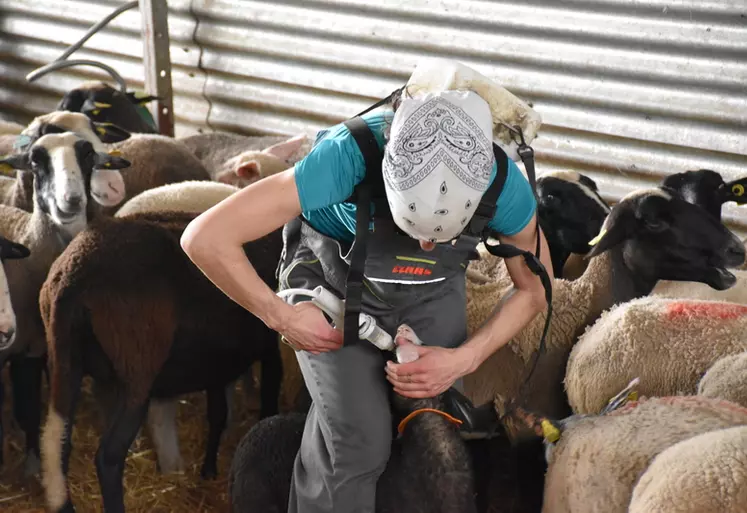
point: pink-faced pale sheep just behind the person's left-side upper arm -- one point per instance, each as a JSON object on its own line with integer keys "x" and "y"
{"x": 240, "y": 160}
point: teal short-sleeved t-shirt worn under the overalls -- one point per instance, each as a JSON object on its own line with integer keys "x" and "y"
{"x": 326, "y": 177}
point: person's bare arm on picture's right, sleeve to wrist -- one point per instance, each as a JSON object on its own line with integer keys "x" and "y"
{"x": 518, "y": 310}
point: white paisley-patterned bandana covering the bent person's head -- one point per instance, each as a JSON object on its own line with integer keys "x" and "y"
{"x": 438, "y": 162}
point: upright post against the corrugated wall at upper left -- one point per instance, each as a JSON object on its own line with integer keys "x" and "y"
{"x": 157, "y": 62}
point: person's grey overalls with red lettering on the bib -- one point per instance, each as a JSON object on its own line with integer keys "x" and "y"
{"x": 348, "y": 433}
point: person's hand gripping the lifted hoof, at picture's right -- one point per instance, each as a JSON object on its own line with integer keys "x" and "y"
{"x": 433, "y": 373}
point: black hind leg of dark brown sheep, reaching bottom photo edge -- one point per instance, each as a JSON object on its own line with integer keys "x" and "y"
{"x": 113, "y": 448}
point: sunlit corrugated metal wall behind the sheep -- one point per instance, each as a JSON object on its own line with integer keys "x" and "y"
{"x": 629, "y": 90}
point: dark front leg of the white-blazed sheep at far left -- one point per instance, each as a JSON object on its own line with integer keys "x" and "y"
{"x": 26, "y": 376}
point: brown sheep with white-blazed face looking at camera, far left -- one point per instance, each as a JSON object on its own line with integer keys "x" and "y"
{"x": 62, "y": 170}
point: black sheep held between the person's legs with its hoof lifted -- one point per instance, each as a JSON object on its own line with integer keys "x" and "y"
{"x": 430, "y": 468}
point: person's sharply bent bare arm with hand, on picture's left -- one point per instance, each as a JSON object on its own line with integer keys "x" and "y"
{"x": 214, "y": 240}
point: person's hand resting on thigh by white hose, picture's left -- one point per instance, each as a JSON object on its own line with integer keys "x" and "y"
{"x": 310, "y": 331}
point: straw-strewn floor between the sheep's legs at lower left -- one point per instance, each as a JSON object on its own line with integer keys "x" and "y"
{"x": 146, "y": 490}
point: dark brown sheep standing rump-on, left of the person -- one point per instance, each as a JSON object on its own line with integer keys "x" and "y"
{"x": 189, "y": 336}
